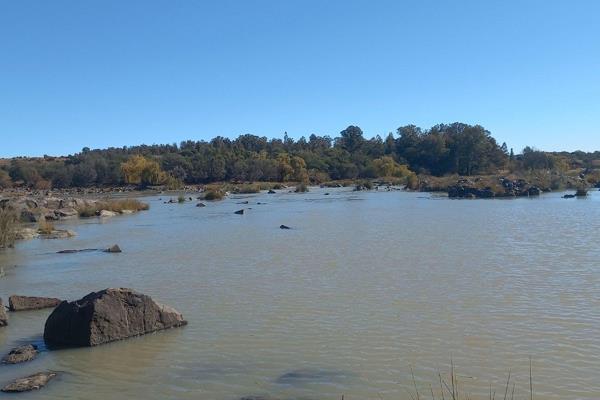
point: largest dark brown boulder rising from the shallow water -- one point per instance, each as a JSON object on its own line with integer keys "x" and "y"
{"x": 107, "y": 316}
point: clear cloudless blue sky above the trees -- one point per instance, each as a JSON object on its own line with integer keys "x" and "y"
{"x": 113, "y": 73}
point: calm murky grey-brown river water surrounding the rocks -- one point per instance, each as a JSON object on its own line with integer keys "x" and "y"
{"x": 365, "y": 287}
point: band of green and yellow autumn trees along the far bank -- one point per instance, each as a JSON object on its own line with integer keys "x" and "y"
{"x": 443, "y": 149}
